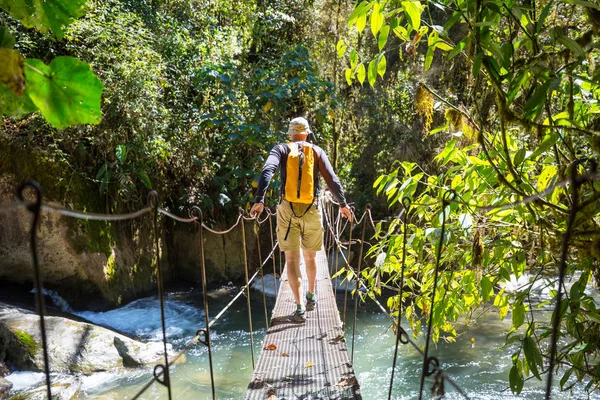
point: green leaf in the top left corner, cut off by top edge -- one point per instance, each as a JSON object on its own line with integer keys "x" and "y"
{"x": 45, "y": 15}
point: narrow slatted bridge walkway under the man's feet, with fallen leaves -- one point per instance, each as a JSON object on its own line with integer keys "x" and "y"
{"x": 311, "y": 359}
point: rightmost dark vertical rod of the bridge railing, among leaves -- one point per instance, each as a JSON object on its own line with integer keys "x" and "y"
{"x": 562, "y": 271}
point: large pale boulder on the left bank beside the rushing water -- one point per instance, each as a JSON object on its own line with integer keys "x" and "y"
{"x": 73, "y": 346}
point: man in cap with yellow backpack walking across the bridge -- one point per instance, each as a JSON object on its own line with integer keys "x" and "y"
{"x": 298, "y": 219}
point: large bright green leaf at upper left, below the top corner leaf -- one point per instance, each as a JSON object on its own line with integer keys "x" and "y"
{"x": 67, "y": 92}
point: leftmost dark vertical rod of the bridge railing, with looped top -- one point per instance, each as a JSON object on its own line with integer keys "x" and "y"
{"x": 35, "y": 208}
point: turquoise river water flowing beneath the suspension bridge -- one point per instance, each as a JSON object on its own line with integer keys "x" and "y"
{"x": 481, "y": 371}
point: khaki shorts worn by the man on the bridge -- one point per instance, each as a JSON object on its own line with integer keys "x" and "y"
{"x": 305, "y": 232}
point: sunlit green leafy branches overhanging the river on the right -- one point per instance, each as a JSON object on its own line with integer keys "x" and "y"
{"x": 513, "y": 88}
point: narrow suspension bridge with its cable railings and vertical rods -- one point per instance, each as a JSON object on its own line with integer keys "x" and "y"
{"x": 308, "y": 361}
